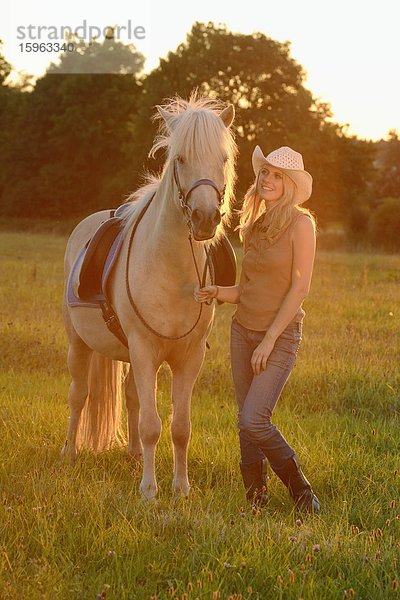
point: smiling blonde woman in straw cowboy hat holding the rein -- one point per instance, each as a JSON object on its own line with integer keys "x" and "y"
{"x": 279, "y": 249}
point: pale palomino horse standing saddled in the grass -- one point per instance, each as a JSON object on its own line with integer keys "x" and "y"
{"x": 151, "y": 291}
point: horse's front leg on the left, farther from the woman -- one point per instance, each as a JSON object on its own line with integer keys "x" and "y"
{"x": 145, "y": 374}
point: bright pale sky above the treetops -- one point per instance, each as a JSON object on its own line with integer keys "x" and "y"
{"x": 350, "y": 49}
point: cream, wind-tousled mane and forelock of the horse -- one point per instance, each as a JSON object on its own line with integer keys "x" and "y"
{"x": 193, "y": 130}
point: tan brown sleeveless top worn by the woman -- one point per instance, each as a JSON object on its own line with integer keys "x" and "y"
{"x": 266, "y": 276}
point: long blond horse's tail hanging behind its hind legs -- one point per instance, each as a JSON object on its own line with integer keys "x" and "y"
{"x": 100, "y": 426}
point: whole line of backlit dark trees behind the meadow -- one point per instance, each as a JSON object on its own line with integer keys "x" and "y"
{"x": 78, "y": 141}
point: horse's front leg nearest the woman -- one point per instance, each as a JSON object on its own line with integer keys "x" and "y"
{"x": 183, "y": 379}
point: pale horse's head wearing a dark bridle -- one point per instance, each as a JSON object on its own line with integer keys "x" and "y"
{"x": 201, "y": 161}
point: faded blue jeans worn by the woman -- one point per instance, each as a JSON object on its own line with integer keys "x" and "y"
{"x": 257, "y": 395}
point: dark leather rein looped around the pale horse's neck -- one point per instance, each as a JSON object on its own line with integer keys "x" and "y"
{"x": 183, "y": 199}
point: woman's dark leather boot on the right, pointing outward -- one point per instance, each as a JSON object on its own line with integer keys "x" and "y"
{"x": 299, "y": 487}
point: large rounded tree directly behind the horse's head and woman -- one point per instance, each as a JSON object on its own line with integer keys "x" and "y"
{"x": 273, "y": 108}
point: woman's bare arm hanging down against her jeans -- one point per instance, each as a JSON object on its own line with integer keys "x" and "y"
{"x": 303, "y": 261}
